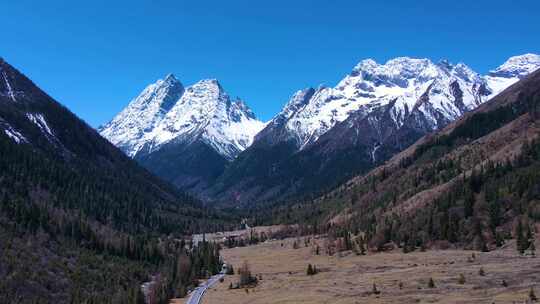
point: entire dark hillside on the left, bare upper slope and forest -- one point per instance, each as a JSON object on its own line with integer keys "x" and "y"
{"x": 79, "y": 221}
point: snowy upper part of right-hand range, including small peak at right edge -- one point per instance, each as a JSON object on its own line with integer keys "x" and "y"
{"x": 450, "y": 89}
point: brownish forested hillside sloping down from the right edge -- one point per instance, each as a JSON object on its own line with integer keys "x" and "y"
{"x": 474, "y": 184}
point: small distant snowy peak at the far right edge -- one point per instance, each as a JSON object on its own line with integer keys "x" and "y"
{"x": 518, "y": 66}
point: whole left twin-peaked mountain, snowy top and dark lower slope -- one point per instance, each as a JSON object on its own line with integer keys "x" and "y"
{"x": 185, "y": 135}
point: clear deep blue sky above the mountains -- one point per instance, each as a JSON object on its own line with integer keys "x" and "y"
{"x": 95, "y": 56}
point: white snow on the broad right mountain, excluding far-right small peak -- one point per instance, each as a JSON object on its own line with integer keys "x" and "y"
{"x": 401, "y": 81}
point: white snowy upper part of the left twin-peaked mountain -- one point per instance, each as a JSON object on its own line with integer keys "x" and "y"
{"x": 165, "y": 111}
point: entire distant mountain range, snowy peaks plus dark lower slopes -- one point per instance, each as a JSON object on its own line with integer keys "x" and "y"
{"x": 215, "y": 148}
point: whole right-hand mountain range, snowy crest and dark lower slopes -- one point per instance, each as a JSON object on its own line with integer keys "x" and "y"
{"x": 324, "y": 135}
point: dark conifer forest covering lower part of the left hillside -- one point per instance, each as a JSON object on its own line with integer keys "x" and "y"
{"x": 74, "y": 231}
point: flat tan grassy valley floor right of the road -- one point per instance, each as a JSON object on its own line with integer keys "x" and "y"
{"x": 348, "y": 278}
